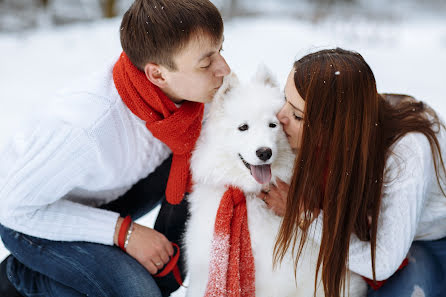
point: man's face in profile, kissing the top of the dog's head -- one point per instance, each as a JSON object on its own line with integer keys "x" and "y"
{"x": 200, "y": 71}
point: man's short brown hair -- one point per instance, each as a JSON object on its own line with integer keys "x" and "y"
{"x": 153, "y": 31}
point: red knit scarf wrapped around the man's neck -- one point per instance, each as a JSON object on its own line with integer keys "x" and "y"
{"x": 178, "y": 128}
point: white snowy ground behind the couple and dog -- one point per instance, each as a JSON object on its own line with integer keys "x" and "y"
{"x": 406, "y": 56}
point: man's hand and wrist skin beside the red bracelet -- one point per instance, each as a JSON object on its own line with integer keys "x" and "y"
{"x": 149, "y": 247}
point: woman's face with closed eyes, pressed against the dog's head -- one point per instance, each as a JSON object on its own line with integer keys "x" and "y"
{"x": 292, "y": 113}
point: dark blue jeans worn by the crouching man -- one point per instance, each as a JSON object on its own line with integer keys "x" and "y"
{"x": 42, "y": 267}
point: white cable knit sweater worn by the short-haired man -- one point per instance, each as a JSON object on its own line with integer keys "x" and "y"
{"x": 85, "y": 148}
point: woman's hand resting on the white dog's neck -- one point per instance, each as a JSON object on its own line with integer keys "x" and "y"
{"x": 275, "y": 198}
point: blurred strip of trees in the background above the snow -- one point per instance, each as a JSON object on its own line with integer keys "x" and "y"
{"x": 19, "y": 15}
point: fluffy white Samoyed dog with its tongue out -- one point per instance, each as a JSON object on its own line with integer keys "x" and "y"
{"x": 242, "y": 144}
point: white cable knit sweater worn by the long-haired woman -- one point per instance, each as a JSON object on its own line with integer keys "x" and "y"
{"x": 412, "y": 208}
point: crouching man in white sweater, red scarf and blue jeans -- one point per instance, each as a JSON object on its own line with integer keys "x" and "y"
{"x": 66, "y": 167}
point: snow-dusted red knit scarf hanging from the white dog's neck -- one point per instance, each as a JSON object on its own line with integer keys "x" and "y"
{"x": 231, "y": 271}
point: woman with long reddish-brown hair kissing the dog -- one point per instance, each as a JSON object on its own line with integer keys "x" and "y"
{"x": 371, "y": 171}
